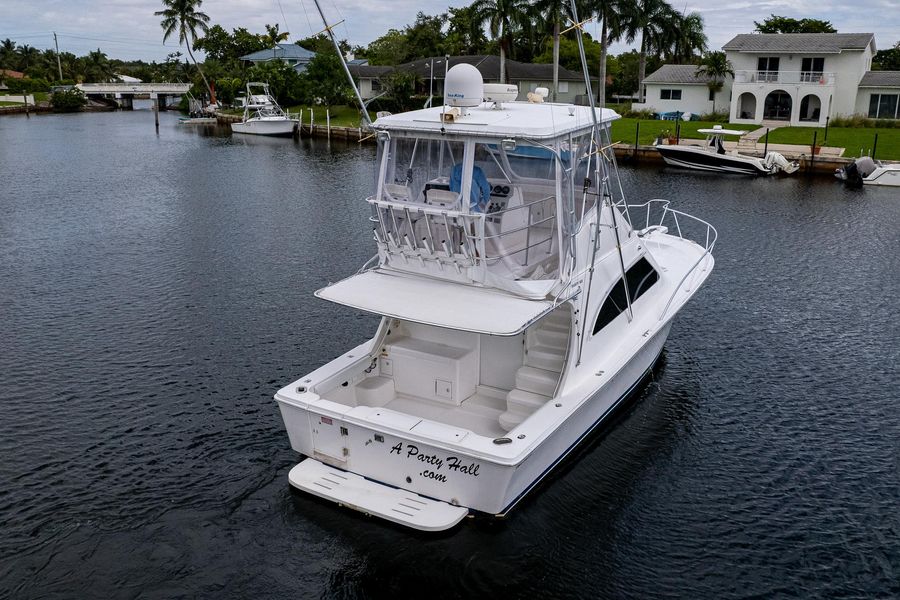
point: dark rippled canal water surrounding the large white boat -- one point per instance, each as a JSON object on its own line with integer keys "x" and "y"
{"x": 155, "y": 291}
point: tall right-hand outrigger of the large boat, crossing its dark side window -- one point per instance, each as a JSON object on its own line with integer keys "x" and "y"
{"x": 603, "y": 185}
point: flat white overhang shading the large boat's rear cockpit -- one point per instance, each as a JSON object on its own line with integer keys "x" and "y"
{"x": 435, "y": 302}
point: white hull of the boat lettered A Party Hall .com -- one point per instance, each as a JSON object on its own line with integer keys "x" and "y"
{"x": 475, "y": 482}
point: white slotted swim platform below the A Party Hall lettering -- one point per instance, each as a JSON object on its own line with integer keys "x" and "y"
{"x": 358, "y": 493}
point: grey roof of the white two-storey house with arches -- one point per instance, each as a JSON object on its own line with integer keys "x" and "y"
{"x": 800, "y": 43}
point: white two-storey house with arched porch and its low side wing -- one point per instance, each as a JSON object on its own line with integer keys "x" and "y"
{"x": 798, "y": 78}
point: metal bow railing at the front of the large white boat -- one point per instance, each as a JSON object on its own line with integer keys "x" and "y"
{"x": 658, "y": 216}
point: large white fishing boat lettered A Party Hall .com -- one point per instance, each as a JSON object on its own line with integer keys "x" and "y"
{"x": 522, "y": 300}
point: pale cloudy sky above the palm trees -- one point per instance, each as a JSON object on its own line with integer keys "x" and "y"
{"x": 127, "y": 29}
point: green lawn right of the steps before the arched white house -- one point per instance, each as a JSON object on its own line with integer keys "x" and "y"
{"x": 856, "y": 141}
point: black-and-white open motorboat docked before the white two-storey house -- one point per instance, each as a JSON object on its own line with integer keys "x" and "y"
{"x": 712, "y": 156}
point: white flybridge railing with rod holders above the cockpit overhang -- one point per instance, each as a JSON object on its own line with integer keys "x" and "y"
{"x": 516, "y": 242}
